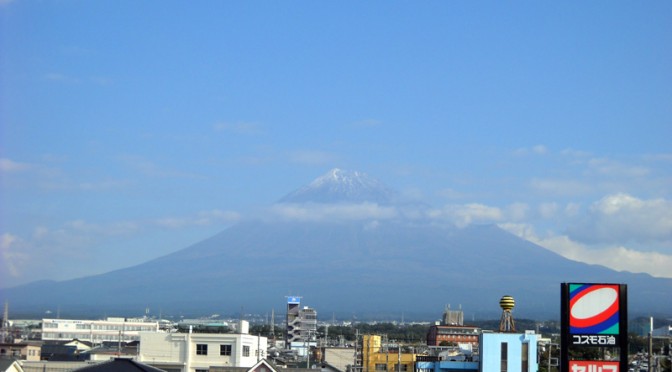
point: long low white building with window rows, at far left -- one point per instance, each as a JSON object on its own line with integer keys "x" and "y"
{"x": 96, "y": 331}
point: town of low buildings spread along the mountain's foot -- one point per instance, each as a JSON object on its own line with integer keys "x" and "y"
{"x": 299, "y": 339}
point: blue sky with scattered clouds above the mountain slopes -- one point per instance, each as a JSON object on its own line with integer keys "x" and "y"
{"x": 129, "y": 129}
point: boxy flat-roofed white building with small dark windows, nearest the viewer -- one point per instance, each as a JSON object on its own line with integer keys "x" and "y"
{"x": 194, "y": 352}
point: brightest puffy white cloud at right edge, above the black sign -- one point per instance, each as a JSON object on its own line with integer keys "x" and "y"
{"x": 622, "y": 218}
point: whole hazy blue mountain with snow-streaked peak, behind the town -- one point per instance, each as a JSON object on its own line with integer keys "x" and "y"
{"x": 346, "y": 246}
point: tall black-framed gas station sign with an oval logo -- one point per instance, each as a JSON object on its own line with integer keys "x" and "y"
{"x": 594, "y": 315}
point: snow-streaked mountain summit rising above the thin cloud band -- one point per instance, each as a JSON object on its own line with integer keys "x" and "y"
{"x": 342, "y": 186}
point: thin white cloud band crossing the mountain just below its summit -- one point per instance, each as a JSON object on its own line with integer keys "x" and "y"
{"x": 326, "y": 212}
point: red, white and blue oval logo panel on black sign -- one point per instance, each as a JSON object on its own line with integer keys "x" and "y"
{"x": 593, "y": 309}
